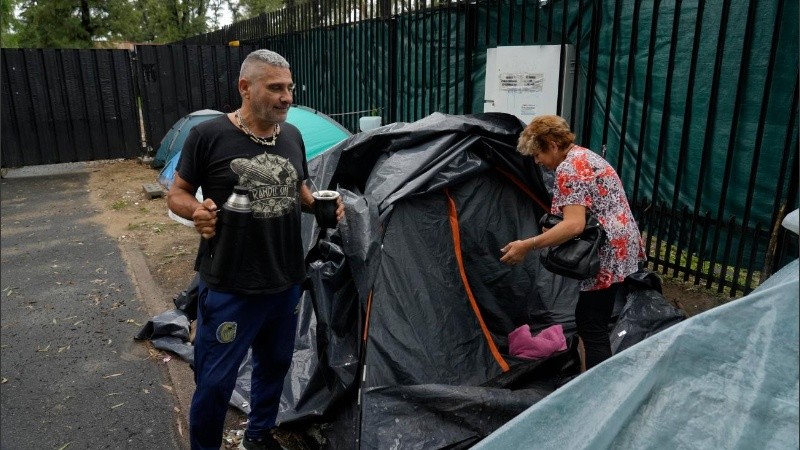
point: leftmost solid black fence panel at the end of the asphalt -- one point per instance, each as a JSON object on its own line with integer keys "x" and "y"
{"x": 67, "y": 106}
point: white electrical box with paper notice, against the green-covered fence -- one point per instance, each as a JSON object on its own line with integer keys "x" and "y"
{"x": 523, "y": 80}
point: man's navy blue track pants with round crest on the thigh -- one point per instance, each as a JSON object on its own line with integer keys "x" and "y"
{"x": 227, "y": 325}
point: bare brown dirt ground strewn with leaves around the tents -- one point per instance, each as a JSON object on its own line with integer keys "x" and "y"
{"x": 116, "y": 189}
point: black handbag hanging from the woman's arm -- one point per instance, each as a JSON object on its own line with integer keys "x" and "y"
{"x": 579, "y": 257}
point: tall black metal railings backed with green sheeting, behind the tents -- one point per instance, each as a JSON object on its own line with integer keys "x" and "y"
{"x": 695, "y": 101}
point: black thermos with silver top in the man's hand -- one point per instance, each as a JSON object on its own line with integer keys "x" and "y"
{"x": 231, "y": 234}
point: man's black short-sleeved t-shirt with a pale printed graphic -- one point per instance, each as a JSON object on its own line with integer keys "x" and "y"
{"x": 216, "y": 157}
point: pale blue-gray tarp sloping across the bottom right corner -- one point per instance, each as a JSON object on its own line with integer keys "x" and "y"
{"x": 726, "y": 378}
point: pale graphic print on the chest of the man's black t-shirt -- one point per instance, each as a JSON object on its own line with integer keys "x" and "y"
{"x": 272, "y": 181}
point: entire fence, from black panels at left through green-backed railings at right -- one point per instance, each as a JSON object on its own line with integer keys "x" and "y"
{"x": 695, "y": 101}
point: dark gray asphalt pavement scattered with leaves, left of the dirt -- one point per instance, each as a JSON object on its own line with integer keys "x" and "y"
{"x": 72, "y": 375}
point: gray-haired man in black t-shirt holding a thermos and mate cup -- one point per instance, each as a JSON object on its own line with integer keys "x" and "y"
{"x": 254, "y": 303}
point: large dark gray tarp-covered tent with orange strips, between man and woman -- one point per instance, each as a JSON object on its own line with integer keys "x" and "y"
{"x": 403, "y": 336}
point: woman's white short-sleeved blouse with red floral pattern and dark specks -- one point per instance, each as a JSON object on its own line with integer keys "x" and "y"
{"x": 585, "y": 178}
